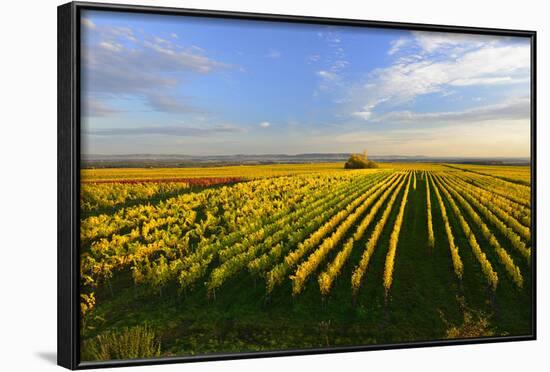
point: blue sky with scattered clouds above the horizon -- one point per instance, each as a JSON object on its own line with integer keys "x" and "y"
{"x": 158, "y": 84}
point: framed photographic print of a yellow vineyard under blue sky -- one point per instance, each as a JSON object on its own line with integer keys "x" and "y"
{"x": 237, "y": 185}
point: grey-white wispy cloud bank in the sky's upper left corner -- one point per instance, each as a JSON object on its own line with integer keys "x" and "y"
{"x": 119, "y": 62}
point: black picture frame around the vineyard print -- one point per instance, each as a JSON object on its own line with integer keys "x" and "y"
{"x": 69, "y": 177}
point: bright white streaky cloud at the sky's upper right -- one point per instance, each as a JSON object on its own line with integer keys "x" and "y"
{"x": 406, "y": 79}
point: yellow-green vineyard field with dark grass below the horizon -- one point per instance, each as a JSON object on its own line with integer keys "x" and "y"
{"x": 301, "y": 255}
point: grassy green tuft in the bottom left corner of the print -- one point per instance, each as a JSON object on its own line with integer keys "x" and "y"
{"x": 127, "y": 343}
